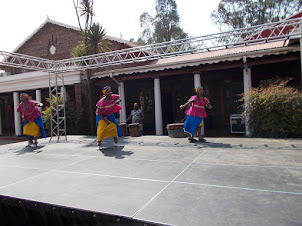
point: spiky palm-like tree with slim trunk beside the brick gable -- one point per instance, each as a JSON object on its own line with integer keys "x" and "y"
{"x": 95, "y": 41}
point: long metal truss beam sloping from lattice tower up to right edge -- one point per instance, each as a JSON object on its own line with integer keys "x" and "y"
{"x": 265, "y": 33}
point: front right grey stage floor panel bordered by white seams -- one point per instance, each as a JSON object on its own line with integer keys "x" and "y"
{"x": 192, "y": 204}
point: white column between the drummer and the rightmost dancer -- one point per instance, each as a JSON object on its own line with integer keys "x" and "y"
{"x": 158, "y": 108}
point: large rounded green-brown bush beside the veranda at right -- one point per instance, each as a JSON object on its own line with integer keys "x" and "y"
{"x": 274, "y": 111}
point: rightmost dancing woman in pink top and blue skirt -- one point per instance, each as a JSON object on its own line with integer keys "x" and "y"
{"x": 195, "y": 113}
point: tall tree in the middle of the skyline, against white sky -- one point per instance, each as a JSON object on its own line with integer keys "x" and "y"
{"x": 164, "y": 26}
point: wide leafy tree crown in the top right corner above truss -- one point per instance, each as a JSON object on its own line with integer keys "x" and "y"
{"x": 243, "y": 13}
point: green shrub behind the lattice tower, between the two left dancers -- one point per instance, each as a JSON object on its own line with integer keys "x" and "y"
{"x": 73, "y": 117}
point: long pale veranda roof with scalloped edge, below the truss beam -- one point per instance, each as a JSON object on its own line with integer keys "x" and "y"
{"x": 211, "y": 57}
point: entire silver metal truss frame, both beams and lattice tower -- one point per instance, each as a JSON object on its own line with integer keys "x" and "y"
{"x": 265, "y": 33}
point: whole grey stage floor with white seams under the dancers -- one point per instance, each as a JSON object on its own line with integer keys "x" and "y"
{"x": 160, "y": 180}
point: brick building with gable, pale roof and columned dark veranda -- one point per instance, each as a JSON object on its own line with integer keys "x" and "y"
{"x": 161, "y": 85}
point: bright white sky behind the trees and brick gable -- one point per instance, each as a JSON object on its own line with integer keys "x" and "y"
{"x": 20, "y": 18}
